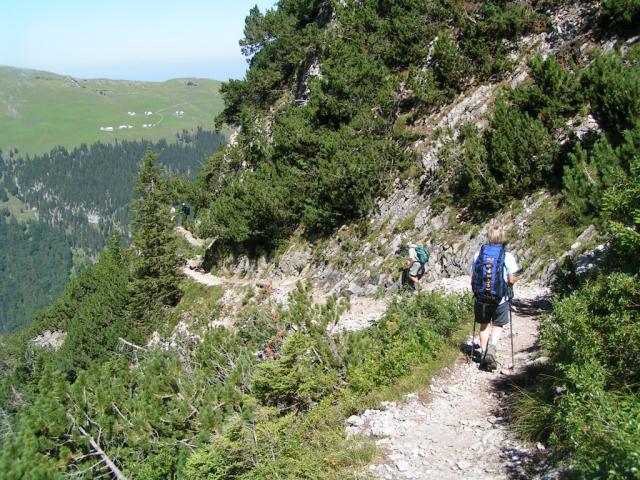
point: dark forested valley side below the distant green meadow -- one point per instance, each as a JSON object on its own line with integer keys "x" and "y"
{"x": 58, "y": 210}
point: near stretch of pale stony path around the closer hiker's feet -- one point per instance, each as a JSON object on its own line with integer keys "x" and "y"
{"x": 455, "y": 429}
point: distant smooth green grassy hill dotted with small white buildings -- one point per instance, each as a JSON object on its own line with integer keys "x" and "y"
{"x": 40, "y": 110}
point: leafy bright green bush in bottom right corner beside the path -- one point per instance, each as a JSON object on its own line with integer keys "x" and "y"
{"x": 586, "y": 405}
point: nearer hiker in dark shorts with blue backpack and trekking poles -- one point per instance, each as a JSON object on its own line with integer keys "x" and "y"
{"x": 493, "y": 275}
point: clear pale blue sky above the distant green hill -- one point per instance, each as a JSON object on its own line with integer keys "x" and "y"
{"x": 126, "y": 39}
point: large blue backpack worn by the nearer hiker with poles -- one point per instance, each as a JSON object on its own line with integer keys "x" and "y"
{"x": 487, "y": 281}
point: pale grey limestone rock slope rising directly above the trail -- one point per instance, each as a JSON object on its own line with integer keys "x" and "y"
{"x": 365, "y": 260}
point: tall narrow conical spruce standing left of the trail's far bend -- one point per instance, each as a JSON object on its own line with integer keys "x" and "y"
{"x": 155, "y": 265}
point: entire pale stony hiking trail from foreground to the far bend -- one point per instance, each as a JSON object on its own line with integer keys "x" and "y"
{"x": 456, "y": 427}
